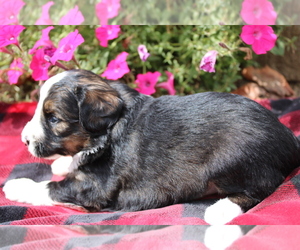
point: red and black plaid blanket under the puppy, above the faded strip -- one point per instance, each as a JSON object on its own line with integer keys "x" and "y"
{"x": 280, "y": 208}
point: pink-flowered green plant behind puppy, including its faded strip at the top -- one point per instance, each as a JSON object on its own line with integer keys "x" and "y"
{"x": 142, "y": 56}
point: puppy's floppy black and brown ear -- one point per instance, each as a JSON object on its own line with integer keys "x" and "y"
{"x": 99, "y": 106}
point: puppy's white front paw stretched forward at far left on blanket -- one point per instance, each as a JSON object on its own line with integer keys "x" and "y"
{"x": 27, "y": 191}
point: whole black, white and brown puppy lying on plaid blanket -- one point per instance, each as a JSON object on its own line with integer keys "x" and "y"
{"x": 134, "y": 152}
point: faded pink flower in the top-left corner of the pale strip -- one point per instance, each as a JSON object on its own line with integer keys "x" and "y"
{"x": 9, "y": 11}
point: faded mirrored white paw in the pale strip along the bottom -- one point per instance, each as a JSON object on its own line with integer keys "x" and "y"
{"x": 222, "y": 236}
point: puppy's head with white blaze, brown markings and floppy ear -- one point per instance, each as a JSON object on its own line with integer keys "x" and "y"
{"x": 75, "y": 109}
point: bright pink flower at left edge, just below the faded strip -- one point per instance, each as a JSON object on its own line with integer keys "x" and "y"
{"x": 9, "y": 34}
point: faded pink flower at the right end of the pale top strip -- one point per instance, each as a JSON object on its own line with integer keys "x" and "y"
{"x": 258, "y": 12}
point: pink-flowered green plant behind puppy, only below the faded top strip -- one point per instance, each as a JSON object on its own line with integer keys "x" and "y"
{"x": 31, "y": 54}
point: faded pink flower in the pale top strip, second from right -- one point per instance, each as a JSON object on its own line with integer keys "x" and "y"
{"x": 107, "y": 9}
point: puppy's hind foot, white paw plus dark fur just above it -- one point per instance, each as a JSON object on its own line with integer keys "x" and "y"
{"x": 224, "y": 210}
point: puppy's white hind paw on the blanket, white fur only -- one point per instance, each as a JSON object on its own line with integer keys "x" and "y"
{"x": 222, "y": 212}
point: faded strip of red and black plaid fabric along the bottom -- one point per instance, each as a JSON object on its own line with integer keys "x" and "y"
{"x": 181, "y": 237}
